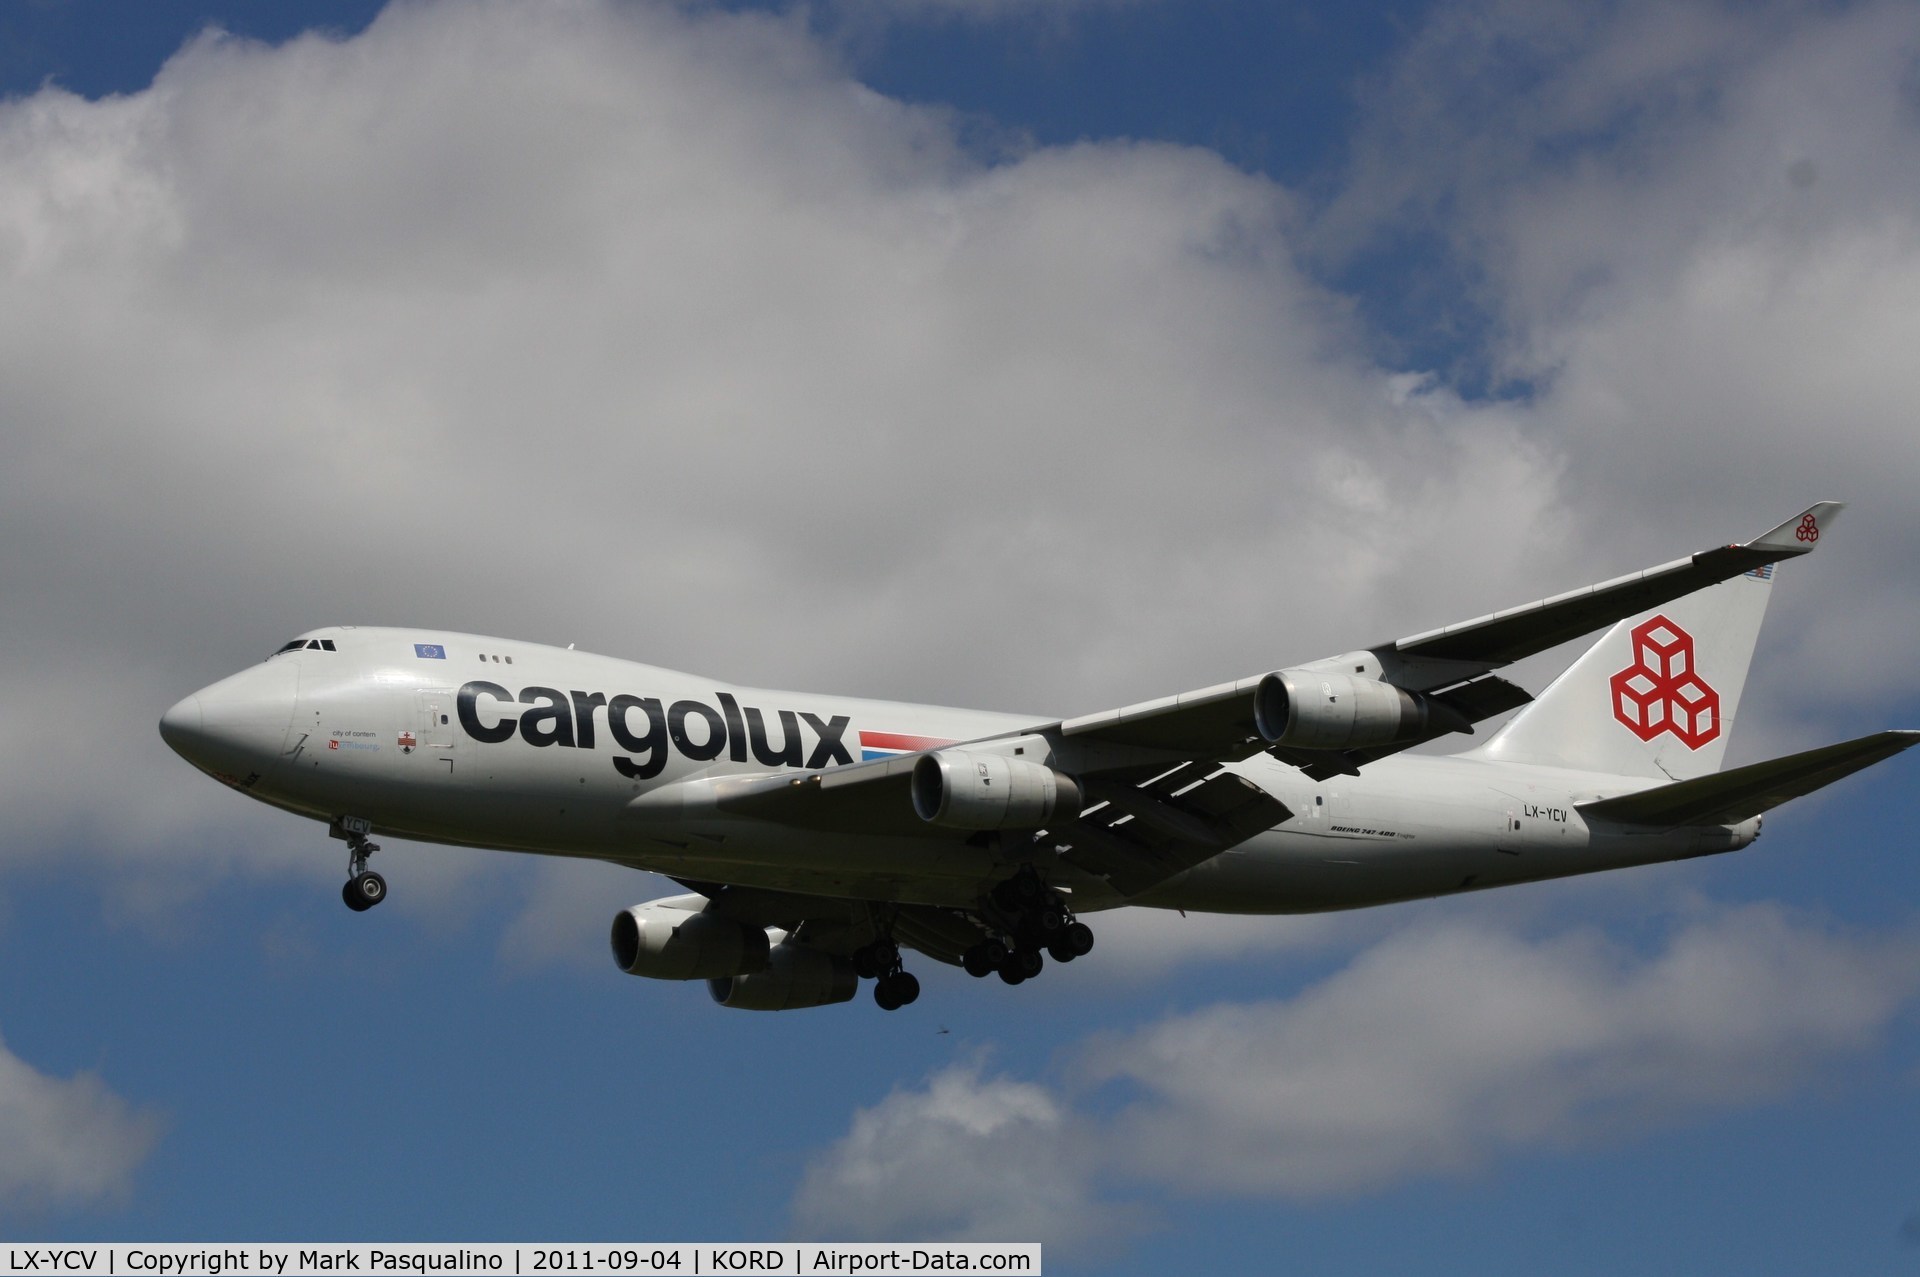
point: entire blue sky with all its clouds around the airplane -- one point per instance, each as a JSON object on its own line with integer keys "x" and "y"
{"x": 1024, "y": 354}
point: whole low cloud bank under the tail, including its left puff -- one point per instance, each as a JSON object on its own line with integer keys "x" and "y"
{"x": 1433, "y": 1053}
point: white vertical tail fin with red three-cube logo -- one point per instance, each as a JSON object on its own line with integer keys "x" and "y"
{"x": 1656, "y": 696}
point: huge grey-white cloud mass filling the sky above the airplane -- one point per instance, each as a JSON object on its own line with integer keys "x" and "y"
{"x": 629, "y": 325}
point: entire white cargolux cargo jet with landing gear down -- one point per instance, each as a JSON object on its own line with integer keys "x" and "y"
{"x": 819, "y": 838}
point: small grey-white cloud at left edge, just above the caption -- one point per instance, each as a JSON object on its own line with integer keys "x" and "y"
{"x": 66, "y": 1144}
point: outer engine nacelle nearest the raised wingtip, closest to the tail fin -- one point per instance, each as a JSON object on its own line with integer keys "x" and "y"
{"x": 1312, "y": 710}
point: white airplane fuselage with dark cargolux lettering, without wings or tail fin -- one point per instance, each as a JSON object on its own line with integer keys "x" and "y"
{"x": 525, "y": 748}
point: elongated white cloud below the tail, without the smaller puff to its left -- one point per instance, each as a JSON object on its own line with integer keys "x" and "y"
{"x": 1443, "y": 1049}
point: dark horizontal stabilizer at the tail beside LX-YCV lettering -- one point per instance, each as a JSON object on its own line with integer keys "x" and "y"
{"x": 1729, "y": 798}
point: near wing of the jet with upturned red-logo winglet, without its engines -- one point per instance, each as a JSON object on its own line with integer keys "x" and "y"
{"x": 1157, "y": 800}
